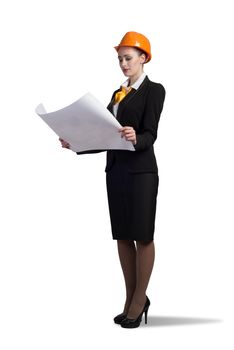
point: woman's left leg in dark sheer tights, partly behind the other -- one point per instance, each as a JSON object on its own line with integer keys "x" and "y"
{"x": 127, "y": 256}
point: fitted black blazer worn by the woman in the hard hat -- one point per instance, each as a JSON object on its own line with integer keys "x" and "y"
{"x": 140, "y": 109}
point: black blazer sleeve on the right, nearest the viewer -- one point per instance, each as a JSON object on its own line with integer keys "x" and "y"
{"x": 152, "y": 111}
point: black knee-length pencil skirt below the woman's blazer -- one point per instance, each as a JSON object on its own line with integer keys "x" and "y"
{"x": 132, "y": 199}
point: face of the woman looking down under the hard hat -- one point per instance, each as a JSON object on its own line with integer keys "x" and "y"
{"x": 130, "y": 61}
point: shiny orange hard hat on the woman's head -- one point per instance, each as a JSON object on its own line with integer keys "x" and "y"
{"x": 137, "y": 40}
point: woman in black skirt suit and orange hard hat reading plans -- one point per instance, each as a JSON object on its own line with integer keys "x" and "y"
{"x": 132, "y": 176}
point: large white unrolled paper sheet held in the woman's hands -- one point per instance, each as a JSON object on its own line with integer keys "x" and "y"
{"x": 87, "y": 125}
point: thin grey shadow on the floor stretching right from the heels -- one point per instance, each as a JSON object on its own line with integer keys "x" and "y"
{"x": 162, "y": 321}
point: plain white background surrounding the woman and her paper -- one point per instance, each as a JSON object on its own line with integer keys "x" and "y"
{"x": 61, "y": 281}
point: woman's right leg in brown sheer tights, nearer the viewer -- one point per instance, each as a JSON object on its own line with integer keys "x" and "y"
{"x": 144, "y": 264}
